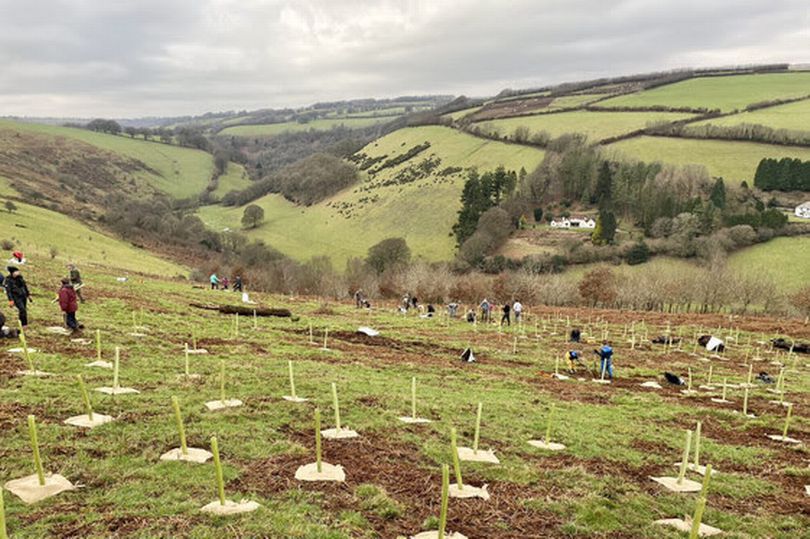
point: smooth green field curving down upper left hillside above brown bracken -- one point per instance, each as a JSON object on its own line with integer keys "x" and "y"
{"x": 180, "y": 172}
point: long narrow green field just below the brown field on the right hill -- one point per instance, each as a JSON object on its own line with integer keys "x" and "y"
{"x": 596, "y": 125}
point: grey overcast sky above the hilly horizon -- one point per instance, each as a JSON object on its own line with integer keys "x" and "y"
{"x": 173, "y": 57}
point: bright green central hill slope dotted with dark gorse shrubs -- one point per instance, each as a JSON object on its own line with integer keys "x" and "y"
{"x": 423, "y": 211}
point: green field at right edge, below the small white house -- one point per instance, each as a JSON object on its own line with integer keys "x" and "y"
{"x": 786, "y": 260}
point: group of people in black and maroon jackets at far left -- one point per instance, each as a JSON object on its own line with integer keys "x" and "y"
{"x": 19, "y": 296}
